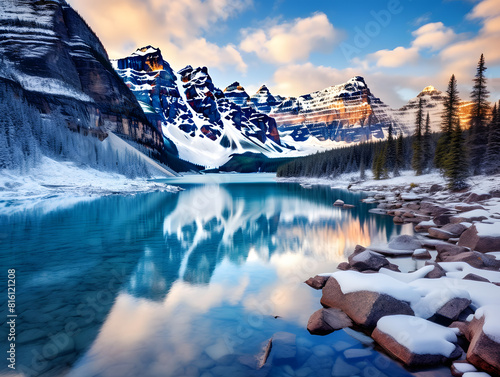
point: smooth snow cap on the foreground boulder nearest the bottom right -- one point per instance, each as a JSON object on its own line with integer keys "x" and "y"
{"x": 418, "y": 335}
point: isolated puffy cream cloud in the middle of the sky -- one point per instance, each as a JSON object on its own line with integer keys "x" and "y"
{"x": 291, "y": 42}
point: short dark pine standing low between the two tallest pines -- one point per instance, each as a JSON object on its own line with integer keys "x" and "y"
{"x": 455, "y": 165}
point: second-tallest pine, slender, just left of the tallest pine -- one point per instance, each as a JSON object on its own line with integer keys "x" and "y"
{"x": 448, "y": 120}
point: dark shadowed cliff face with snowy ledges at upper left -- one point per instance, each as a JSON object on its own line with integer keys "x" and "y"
{"x": 50, "y": 56}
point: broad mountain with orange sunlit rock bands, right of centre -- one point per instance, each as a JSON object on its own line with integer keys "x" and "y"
{"x": 347, "y": 112}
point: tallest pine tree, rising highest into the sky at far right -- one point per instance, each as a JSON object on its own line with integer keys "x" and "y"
{"x": 478, "y": 133}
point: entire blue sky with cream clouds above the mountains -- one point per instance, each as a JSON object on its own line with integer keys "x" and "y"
{"x": 295, "y": 47}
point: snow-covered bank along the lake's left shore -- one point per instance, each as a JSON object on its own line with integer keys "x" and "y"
{"x": 65, "y": 183}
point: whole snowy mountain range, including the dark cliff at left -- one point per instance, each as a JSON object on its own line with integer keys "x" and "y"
{"x": 50, "y": 57}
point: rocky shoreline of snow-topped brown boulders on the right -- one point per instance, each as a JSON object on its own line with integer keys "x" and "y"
{"x": 445, "y": 312}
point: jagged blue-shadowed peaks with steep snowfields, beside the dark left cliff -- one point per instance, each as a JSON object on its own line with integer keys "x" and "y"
{"x": 194, "y": 116}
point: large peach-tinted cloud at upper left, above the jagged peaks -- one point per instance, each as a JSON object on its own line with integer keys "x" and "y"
{"x": 175, "y": 26}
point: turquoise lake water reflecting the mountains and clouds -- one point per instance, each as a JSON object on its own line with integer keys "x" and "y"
{"x": 193, "y": 283}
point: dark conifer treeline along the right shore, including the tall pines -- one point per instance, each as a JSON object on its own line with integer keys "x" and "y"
{"x": 457, "y": 154}
